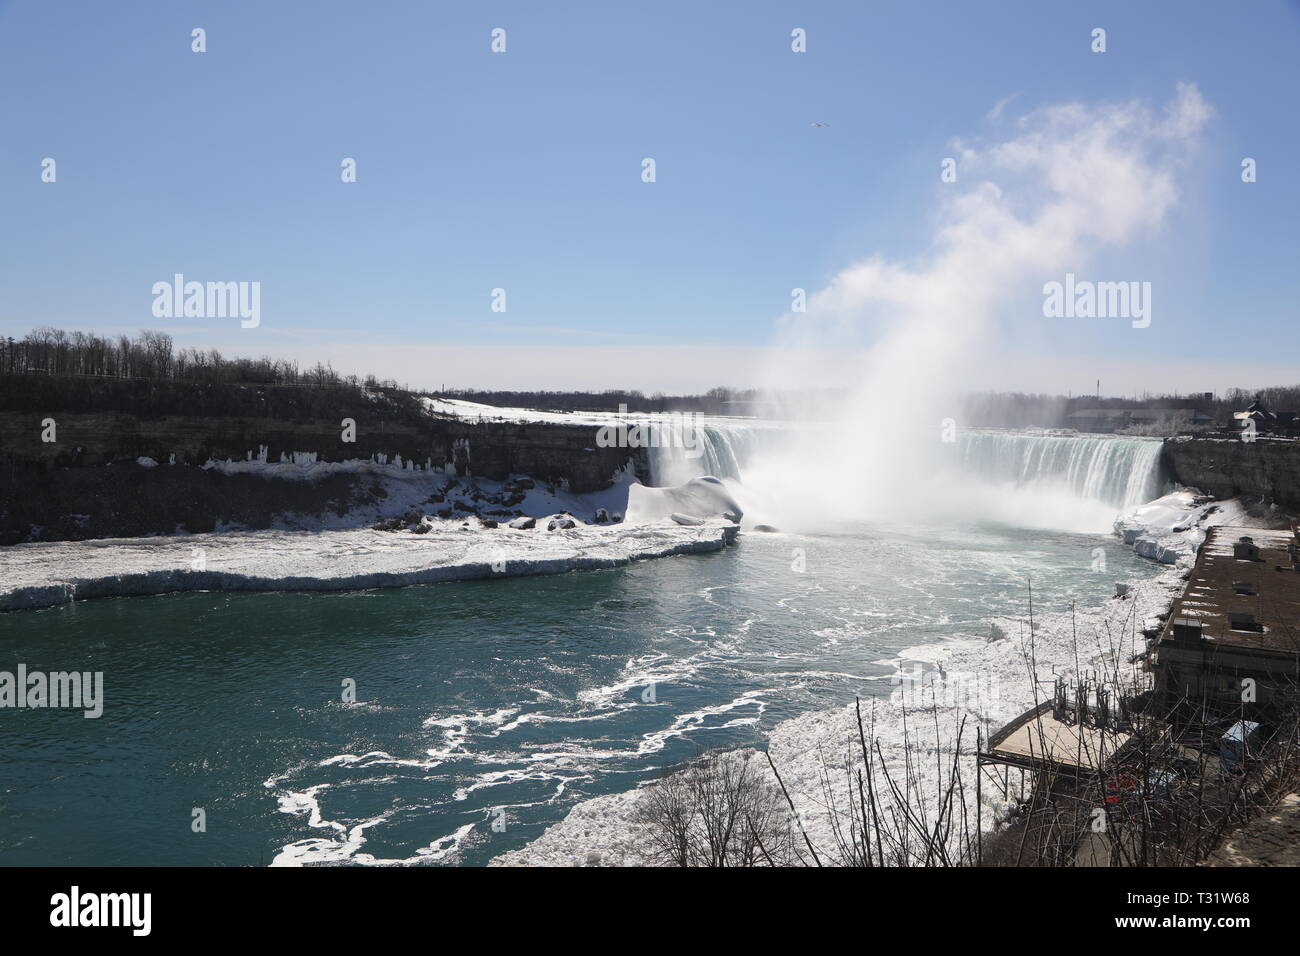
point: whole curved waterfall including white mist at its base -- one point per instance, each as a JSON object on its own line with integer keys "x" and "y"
{"x": 1030, "y": 481}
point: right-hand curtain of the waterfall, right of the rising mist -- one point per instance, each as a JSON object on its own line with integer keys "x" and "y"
{"x": 1111, "y": 470}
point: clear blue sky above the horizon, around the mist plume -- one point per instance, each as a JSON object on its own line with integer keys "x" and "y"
{"x": 522, "y": 171}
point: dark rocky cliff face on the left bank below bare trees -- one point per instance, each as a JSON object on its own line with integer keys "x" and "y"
{"x": 86, "y": 483}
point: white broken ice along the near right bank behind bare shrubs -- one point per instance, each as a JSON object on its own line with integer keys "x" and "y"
{"x": 983, "y": 684}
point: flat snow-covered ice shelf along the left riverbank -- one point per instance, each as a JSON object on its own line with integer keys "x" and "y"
{"x": 41, "y": 576}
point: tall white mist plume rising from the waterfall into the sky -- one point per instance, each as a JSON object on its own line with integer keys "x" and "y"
{"x": 1073, "y": 180}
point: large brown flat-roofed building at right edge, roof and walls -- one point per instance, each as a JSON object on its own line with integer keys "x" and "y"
{"x": 1232, "y": 644}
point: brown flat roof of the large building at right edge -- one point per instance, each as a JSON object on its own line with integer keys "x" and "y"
{"x": 1210, "y": 598}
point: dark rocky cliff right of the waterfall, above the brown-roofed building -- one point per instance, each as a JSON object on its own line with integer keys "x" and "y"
{"x": 1267, "y": 469}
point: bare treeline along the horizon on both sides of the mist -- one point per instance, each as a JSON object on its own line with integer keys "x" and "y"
{"x": 200, "y": 377}
